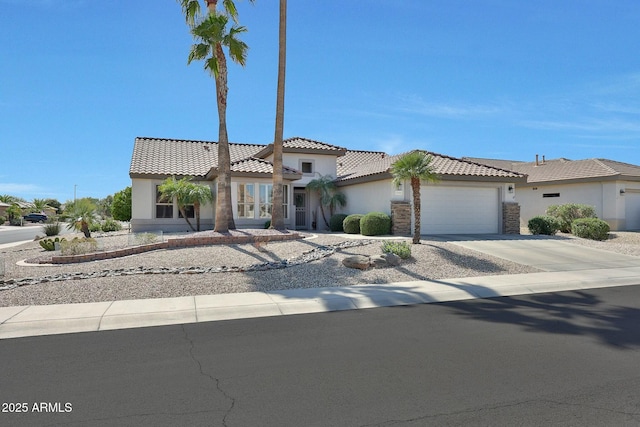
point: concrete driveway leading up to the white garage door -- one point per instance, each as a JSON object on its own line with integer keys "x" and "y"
{"x": 545, "y": 253}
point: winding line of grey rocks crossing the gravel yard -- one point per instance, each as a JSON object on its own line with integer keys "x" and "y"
{"x": 306, "y": 257}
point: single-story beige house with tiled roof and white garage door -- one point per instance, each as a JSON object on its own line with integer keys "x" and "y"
{"x": 470, "y": 197}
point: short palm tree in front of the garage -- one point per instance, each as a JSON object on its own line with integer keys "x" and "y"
{"x": 414, "y": 167}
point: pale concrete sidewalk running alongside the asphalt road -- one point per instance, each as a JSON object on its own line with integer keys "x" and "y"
{"x": 25, "y": 321}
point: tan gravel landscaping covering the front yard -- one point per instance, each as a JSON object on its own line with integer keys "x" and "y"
{"x": 309, "y": 263}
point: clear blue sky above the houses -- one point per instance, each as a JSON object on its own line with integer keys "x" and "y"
{"x": 80, "y": 79}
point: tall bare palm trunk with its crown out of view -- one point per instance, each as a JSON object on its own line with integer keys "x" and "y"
{"x": 277, "y": 215}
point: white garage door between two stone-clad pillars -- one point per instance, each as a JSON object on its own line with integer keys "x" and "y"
{"x": 459, "y": 210}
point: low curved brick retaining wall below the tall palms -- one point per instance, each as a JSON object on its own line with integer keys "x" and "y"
{"x": 175, "y": 243}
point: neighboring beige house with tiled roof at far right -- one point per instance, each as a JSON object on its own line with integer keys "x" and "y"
{"x": 612, "y": 187}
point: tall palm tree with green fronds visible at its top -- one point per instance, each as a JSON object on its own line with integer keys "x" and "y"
{"x": 212, "y": 34}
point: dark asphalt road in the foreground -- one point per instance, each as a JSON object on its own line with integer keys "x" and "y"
{"x": 566, "y": 359}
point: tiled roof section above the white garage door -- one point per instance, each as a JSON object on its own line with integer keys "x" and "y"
{"x": 443, "y": 166}
